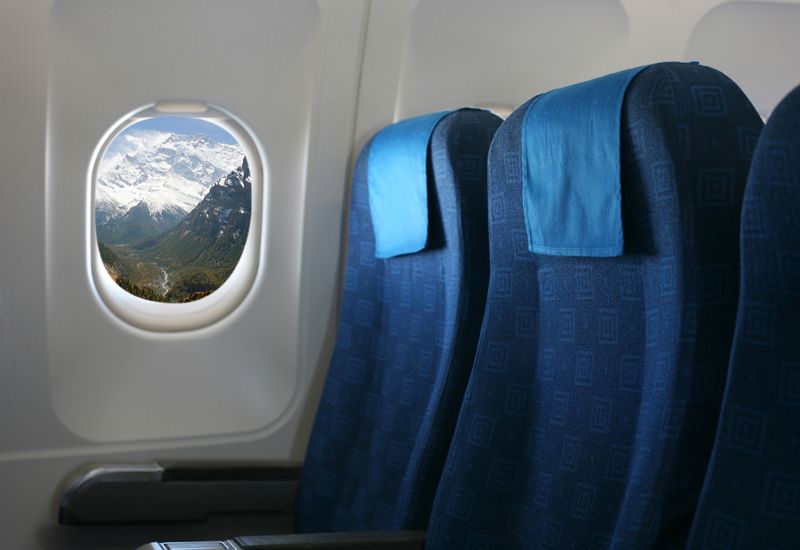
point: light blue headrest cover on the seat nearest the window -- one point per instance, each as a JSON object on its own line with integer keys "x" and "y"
{"x": 397, "y": 182}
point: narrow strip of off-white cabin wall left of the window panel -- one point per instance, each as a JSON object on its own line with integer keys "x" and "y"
{"x": 23, "y": 90}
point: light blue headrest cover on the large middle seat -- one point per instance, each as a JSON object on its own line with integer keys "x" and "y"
{"x": 571, "y": 188}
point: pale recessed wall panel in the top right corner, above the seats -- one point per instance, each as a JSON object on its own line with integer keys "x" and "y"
{"x": 756, "y": 44}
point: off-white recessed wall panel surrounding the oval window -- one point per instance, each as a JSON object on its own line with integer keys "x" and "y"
{"x": 241, "y": 374}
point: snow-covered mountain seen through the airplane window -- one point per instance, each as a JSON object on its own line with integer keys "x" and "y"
{"x": 158, "y": 175}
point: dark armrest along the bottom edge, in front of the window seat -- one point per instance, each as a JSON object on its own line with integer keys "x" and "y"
{"x": 356, "y": 540}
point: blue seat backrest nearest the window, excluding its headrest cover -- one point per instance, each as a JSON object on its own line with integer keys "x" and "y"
{"x": 405, "y": 345}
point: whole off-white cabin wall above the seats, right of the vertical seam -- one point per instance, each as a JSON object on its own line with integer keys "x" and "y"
{"x": 426, "y": 55}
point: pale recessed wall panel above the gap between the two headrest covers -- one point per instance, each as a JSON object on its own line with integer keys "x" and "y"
{"x": 473, "y": 52}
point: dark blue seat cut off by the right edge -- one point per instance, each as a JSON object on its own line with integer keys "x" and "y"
{"x": 751, "y": 495}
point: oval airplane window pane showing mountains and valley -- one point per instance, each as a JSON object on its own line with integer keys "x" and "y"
{"x": 172, "y": 207}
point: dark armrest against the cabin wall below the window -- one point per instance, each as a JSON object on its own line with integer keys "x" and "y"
{"x": 175, "y": 493}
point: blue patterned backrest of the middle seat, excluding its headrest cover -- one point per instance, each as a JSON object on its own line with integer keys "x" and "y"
{"x": 590, "y": 411}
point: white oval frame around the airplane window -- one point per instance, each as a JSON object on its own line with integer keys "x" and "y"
{"x": 180, "y": 317}
